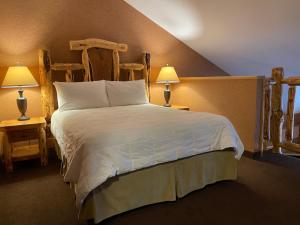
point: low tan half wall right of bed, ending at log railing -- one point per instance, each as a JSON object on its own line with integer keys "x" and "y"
{"x": 237, "y": 98}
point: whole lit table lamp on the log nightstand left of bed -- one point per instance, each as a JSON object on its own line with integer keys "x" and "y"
{"x": 19, "y": 77}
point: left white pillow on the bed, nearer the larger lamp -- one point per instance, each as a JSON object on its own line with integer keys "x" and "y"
{"x": 81, "y": 95}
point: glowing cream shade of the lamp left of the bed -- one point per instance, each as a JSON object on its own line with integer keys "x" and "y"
{"x": 18, "y": 77}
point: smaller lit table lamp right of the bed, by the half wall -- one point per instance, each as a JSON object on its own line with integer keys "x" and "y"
{"x": 167, "y": 76}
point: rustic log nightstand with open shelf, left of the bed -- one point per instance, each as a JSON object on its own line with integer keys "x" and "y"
{"x": 24, "y": 140}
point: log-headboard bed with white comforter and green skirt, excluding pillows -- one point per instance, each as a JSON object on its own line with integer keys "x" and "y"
{"x": 123, "y": 157}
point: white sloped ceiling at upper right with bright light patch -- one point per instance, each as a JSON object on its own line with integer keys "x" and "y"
{"x": 243, "y": 37}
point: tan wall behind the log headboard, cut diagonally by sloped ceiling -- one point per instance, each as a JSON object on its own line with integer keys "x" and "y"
{"x": 27, "y": 26}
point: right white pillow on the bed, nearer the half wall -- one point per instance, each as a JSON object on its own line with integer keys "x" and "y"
{"x": 126, "y": 92}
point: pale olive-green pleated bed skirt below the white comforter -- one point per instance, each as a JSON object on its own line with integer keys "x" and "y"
{"x": 164, "y": 182}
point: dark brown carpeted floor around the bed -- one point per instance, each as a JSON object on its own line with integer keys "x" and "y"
{"x": 267, "y": 192}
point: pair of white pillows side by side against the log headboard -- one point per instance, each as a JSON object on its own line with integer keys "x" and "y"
{"x": 98, "y": 94}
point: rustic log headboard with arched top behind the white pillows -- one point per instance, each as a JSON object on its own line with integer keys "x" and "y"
{"x": 100, "y": 61}
